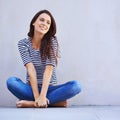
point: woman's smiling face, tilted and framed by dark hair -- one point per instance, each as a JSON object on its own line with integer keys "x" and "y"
{"x": 42, "y": 24}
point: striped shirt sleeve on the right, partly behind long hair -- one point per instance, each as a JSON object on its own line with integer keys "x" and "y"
{"x": 52, "y": 61}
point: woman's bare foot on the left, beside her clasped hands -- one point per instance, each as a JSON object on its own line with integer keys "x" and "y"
{"x": 25, "y": 104}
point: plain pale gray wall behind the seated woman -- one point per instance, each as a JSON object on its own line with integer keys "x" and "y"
{"x": 88, "y": 33}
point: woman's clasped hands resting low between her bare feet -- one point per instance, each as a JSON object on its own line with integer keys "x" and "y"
{"x": 42, "y": 102}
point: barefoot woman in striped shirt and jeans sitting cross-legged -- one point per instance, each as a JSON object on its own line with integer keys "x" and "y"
{"x": 39, "y": 53}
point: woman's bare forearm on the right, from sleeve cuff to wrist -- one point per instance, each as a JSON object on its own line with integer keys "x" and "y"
{"x": 46, "y": 80}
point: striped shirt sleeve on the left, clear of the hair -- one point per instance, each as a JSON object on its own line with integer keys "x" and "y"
{"x": 24, "y": 52}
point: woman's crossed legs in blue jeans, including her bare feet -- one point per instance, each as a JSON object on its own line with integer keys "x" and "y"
{"x": 57, "y": 95}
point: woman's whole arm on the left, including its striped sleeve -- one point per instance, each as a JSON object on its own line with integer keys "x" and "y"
{"x": 24, "y": 50}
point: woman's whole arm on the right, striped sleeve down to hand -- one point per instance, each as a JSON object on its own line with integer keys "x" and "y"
{"x": 42, "y": 100}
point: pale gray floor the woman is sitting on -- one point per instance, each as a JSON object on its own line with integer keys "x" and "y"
{"x": 70, "y": 113}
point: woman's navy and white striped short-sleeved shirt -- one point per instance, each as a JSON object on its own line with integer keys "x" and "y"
{"x": 29, "y": 54}
